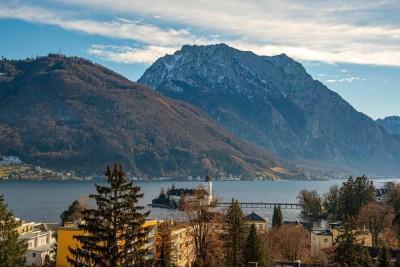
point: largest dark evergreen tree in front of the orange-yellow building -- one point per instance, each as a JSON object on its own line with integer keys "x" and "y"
{"x": 113, "y": 232}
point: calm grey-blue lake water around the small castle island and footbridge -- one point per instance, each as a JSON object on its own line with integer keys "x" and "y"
{"x": 44, "y": 201}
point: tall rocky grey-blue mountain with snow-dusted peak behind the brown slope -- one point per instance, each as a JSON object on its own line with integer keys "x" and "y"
{"x": 273, "y": 102}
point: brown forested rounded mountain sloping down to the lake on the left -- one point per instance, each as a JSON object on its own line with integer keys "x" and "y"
{"x": 68, "y": 113}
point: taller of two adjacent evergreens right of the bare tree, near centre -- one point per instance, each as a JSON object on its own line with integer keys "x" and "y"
{"x": 235, "y": 236}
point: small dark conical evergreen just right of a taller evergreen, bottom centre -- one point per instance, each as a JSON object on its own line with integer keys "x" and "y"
{"x": 254, "y": 250}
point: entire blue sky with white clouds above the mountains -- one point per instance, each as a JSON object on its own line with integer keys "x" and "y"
{"x": 350, "y": 46}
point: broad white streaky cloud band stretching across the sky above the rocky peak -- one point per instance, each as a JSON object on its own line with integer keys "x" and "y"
{"x": 329, "y": 31}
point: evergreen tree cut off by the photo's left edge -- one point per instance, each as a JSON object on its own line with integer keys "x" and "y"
{"x": 12, "y": 251}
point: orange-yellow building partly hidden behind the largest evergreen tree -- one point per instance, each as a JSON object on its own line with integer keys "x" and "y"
{"x": 66, "y": 239}
